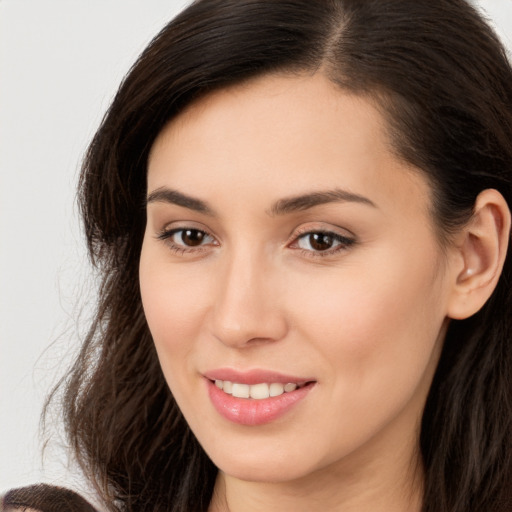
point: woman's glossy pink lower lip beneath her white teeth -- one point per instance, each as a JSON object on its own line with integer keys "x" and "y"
{"x": 247, "y": 411}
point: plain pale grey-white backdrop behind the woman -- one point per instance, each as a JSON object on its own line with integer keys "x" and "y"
{"x": 60, "y": 64}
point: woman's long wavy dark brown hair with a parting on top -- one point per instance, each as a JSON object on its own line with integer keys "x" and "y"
{"x": 443, "y": 81}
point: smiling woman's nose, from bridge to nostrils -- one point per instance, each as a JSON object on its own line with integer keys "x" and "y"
{"x": 248, "y": 307}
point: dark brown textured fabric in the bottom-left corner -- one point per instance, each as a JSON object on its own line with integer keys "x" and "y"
{"x": 44, "y": 498}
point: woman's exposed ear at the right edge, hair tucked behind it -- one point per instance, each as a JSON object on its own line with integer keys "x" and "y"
{"x": 479, "y": 255}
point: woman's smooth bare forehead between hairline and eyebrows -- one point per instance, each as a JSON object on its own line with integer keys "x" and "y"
{"x": 279, "y": 136}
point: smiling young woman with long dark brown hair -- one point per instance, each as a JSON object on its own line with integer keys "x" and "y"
{"x": 300, "y": 213}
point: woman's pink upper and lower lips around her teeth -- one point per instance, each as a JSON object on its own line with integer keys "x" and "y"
{"x": 249, "y": 412}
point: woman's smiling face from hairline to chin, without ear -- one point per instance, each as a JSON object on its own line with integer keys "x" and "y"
{"x": 290, "y": 256}
